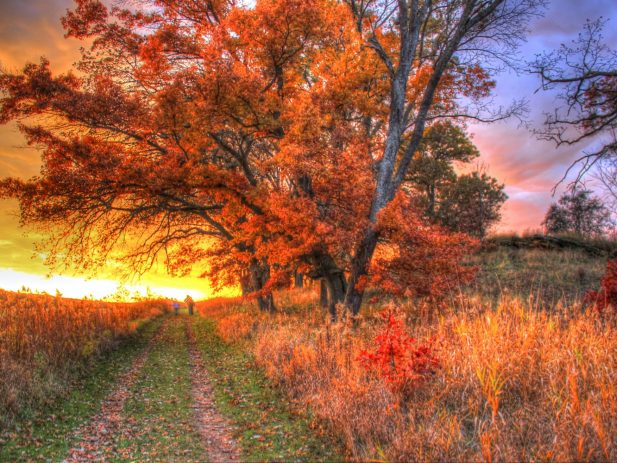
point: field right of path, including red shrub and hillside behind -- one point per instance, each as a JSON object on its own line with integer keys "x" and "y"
{"x": 522, "y": 370}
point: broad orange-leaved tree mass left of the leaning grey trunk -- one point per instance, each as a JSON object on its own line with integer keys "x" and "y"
{"x": 211, "y": 134}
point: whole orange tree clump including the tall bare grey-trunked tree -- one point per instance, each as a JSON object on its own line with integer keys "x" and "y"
{"x": 252, "y": 141}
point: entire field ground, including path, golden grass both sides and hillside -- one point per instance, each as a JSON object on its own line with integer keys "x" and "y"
{"x": 513, "y": 367}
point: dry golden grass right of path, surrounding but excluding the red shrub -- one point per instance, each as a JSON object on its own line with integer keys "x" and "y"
{"x": 516, "y": 383}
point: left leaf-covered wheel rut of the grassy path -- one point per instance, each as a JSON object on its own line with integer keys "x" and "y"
{"x": 99, "y": 432}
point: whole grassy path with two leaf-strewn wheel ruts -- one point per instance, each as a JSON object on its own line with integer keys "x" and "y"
{"x": 174, "y": 393}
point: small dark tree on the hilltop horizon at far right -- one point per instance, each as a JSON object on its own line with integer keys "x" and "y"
{"x": 577, "y": 211}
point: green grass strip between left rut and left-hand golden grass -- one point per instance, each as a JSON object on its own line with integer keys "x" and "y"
{"x": 46, "y": 435}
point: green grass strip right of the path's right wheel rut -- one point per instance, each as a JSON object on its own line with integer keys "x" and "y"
{"x": 265, "y": 427}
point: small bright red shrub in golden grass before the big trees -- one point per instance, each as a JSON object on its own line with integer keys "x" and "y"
{"x": 398, "y": 358}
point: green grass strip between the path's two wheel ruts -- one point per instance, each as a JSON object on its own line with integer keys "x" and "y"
{"x": 159, "y": 423}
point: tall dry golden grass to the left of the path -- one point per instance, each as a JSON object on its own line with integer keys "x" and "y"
{"x": 44, "y": 339}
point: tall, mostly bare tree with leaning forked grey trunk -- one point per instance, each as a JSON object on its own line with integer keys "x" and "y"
{"x": 425, "y": 45}
